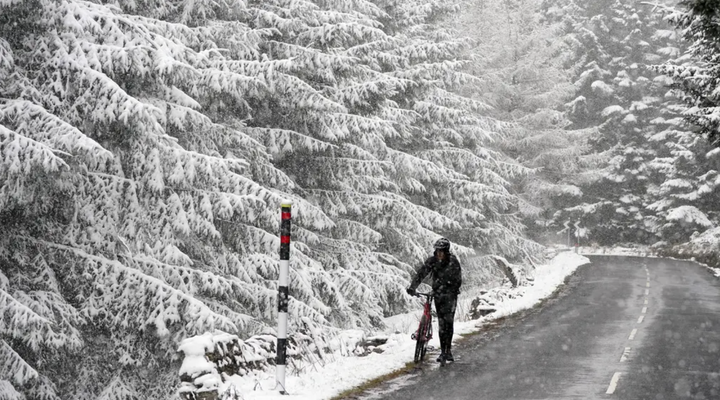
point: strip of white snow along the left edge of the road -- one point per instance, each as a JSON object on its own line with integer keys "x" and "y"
{"x": 340, "y": 371}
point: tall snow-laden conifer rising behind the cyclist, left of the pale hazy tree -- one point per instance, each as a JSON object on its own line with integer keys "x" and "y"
{"x": 446, "y": 164}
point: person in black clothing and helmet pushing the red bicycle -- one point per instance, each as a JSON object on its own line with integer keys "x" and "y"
{"x": 446, "y": 274}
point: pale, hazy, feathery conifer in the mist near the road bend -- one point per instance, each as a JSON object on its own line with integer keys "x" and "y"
{"x": 523, "y": 71}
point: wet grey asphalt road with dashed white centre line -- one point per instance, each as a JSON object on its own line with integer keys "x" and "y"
{"x": 622, "y": 328}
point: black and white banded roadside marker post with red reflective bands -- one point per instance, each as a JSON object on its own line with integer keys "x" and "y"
{"x": 285, "y": 211}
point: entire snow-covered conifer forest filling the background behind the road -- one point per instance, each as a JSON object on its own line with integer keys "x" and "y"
{"x": 146, "y": 147}
